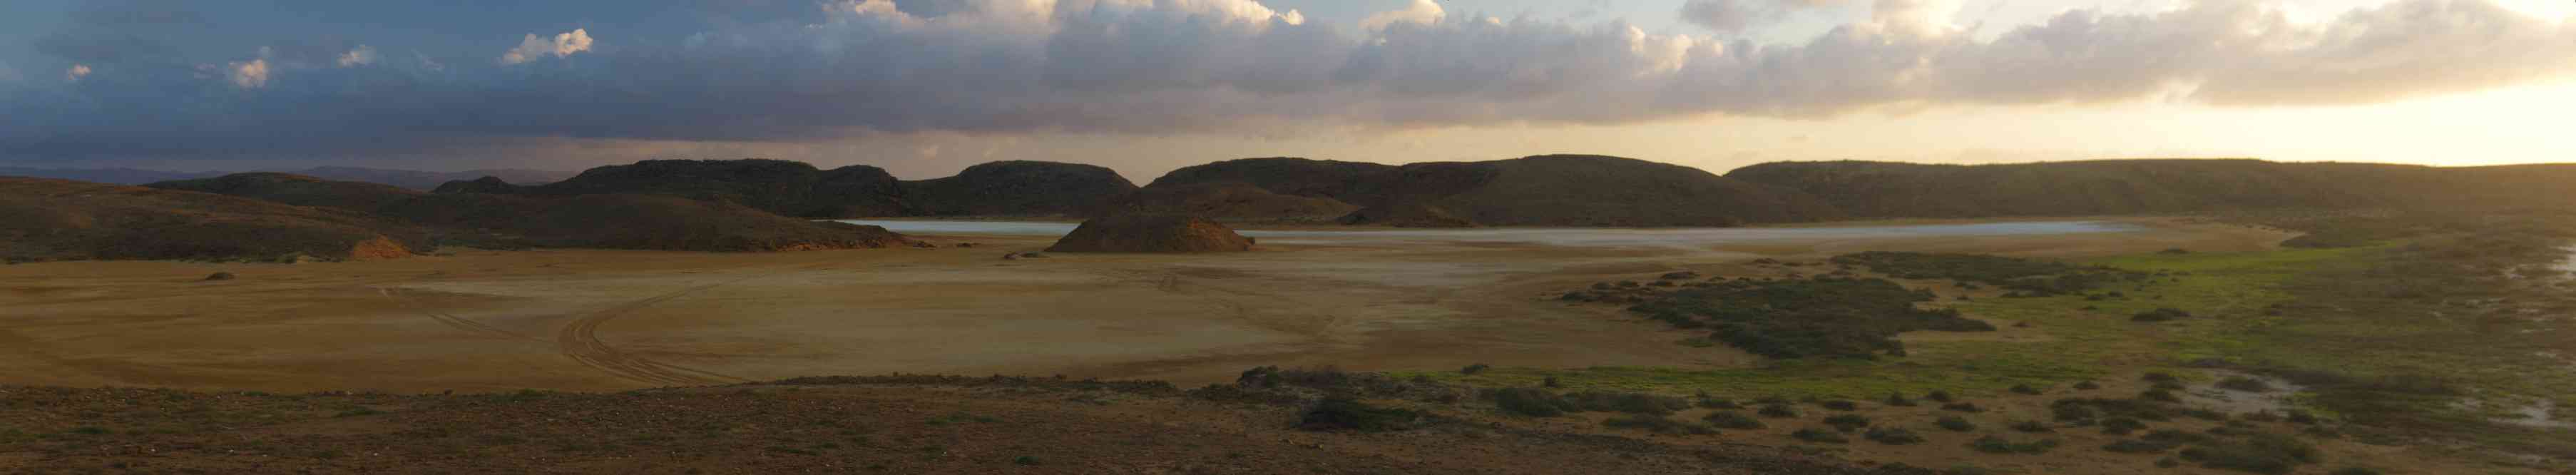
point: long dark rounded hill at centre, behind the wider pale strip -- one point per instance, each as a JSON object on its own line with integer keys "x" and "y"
{"x": 1544, "y": 190}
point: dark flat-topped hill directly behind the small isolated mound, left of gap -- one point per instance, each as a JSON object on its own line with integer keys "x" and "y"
{"x": 1019, "y": 187}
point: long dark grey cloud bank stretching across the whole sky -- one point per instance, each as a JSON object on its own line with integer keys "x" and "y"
{"x": 753, "y": 71}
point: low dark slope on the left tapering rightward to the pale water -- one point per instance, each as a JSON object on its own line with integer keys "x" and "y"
{"x": 591, "y": 221}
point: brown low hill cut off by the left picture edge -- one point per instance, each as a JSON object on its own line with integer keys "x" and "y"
{"x": 66, "y": 221}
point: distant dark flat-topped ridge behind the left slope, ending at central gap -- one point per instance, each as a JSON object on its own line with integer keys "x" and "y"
{"x": 797, "y": 190}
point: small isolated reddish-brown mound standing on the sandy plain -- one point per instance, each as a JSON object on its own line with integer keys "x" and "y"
{"x": 1150, "y": 234}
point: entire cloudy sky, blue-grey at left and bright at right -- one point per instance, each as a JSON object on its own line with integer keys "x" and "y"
{"x": 1148, "y": 86}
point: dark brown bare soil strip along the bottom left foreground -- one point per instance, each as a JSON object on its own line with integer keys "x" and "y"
{"x": 854, "y": 425}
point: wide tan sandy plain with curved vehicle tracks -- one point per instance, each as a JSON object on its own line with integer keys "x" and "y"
{"x": 480, "y": 321}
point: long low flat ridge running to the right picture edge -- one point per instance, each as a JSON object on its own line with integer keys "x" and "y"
{"x": 2155, "y": 187}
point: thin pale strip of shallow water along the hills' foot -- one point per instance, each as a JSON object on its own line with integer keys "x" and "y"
{"x": 1557, "y": 236}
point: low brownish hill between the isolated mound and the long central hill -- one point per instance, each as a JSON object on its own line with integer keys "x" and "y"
{"x": 1233, "y": 203}
